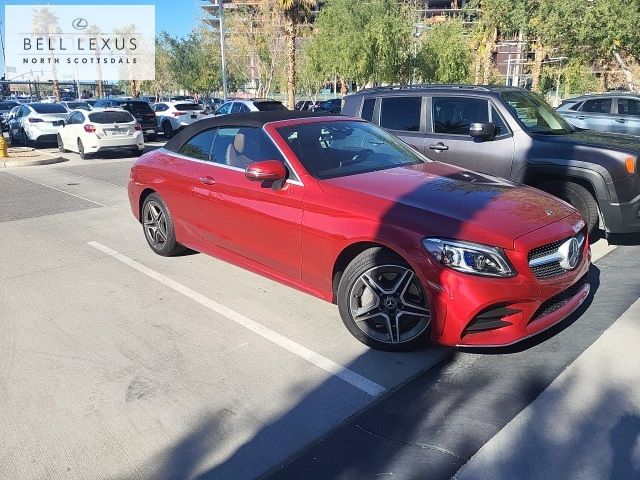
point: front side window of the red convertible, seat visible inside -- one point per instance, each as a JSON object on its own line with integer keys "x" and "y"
{"x": 238, "y": 147}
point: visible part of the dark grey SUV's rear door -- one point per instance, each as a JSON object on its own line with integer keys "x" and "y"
{"x": 402, "y": 117}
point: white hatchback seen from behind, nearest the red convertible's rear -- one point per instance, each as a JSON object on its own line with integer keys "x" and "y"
{"x": 100, "y": 130}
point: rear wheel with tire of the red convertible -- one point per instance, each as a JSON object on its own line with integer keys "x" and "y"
{"x": 158, "y": 228}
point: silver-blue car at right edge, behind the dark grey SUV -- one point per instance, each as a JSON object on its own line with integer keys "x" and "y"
{"x": 616, "y": 113}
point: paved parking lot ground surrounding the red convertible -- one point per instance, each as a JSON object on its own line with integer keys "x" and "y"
{"x": 117, "y": 363}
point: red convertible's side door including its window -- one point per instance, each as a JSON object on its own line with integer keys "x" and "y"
{"x": 250, "y": 219}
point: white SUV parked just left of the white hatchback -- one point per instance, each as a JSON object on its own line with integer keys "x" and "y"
{"x": 34, "y": 123}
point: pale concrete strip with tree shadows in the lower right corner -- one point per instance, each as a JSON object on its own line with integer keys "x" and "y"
{"x": 585, "y": 425}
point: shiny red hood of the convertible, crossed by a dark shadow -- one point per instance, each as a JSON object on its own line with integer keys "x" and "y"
{"x": 442, "y": 200}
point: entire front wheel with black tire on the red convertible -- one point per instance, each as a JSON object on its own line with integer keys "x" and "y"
{"x": 395, "y": 315}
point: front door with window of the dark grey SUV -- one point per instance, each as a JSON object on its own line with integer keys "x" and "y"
{"x": 448, "y": 139}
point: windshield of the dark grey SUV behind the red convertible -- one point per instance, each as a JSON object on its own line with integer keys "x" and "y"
{"x": 535, "y": 114}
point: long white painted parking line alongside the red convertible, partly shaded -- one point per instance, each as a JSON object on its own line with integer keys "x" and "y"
{"x": 301, "y": 351}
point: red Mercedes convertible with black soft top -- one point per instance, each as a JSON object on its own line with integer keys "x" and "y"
{"x": 410, "y": 249}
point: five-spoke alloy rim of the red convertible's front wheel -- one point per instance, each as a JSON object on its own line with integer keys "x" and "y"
{"x": 388, "y": 304}
